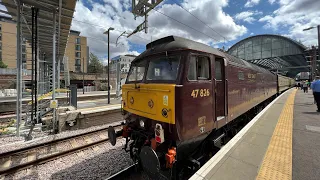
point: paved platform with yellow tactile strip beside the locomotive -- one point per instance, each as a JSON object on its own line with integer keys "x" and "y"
{"x": 281, "y": 142}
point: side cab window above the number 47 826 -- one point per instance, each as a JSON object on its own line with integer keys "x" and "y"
{"x": 198, "y": 68}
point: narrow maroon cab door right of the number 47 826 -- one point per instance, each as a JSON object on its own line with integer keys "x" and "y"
{"x": 220, "y": 88}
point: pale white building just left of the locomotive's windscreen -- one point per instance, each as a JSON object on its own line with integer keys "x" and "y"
{"x": 124, "y": 60}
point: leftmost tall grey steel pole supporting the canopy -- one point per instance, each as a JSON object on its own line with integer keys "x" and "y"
{"x": 19, "y": 69}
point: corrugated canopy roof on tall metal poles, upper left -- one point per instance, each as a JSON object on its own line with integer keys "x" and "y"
{"x": 45, "y": 21}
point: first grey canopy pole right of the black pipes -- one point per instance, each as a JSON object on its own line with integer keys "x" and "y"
{"x": 54, "y": 69}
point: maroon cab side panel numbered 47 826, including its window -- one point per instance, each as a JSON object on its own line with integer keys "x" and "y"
{"x": 196, "y": 102}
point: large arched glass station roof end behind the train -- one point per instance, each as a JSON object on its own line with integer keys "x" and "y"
{"x": 273, "y": 52}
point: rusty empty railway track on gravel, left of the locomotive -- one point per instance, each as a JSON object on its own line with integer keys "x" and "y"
{"x": 19, "y": 159}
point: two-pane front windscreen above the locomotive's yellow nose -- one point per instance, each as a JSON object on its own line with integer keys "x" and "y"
{"x": 155, "y": 69}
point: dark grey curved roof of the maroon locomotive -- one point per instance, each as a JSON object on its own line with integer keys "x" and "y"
{"x": 171, "y": 43}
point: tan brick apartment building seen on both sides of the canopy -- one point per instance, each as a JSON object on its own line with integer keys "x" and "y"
{"x": 77, "y": 51}
